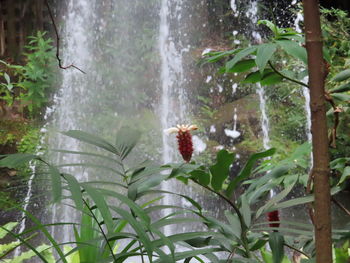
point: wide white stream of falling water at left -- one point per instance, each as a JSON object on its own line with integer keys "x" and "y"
{"x": 71, "y": 97}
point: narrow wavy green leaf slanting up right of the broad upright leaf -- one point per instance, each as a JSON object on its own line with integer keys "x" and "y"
{"x": 247, "y": 169}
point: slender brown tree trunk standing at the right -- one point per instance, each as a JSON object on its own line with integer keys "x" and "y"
{"x": 320, "y": 170}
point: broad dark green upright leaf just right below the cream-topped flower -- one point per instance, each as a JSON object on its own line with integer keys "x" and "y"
{"x": 220, "y": 171}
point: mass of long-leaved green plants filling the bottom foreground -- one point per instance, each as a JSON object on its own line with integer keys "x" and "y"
{"x": 116, "y": 222}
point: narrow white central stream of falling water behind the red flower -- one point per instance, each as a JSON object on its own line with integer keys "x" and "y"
{"x": 172, "y": 105}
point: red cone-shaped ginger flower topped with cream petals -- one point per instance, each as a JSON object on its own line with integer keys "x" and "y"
{"x": 184, "y": 139}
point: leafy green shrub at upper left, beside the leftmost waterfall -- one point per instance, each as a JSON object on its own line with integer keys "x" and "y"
{"x": 30, "y": 83}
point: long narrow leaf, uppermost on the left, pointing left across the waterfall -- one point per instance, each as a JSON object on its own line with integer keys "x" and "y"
{"x": 92, "y": 139}
